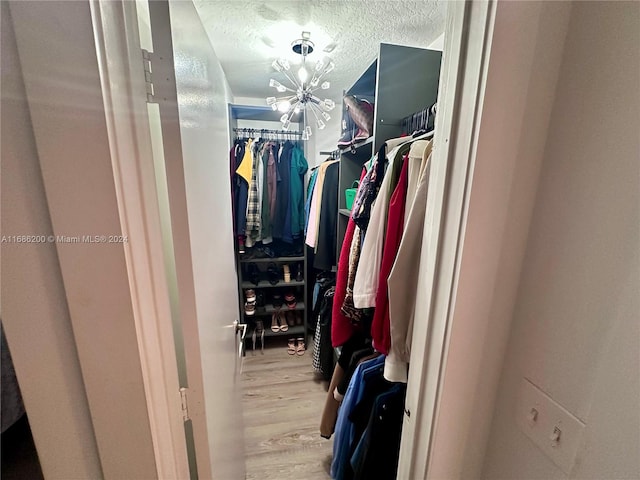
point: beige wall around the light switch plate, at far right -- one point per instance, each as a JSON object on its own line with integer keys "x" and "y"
{"x": 575, "y": 329}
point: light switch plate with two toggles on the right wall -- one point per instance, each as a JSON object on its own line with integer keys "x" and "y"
{"x": 549, "y": 415}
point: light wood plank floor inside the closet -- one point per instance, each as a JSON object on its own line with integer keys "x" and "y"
{"x": 282, "y": 404}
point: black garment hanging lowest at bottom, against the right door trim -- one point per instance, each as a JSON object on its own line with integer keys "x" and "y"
{"x": 377, "y": 454}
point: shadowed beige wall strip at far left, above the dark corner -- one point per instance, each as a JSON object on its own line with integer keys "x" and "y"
{"x": 34, "y": 306}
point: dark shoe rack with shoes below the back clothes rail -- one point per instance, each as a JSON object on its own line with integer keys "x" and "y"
{"x": 273, "y": 283}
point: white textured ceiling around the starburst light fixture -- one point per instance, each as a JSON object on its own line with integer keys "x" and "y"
{"x": 248, "y": 35}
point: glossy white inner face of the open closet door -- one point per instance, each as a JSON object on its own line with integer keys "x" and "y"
{"x": 203, "y": 95}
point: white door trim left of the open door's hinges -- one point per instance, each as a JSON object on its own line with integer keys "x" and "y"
{"x": 124, "y": 95}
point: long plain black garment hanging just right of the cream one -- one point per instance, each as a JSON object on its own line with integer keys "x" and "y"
{"x": 325, "y": 258}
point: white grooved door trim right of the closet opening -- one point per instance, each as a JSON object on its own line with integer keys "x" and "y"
{"x": 467, "y": 45}
